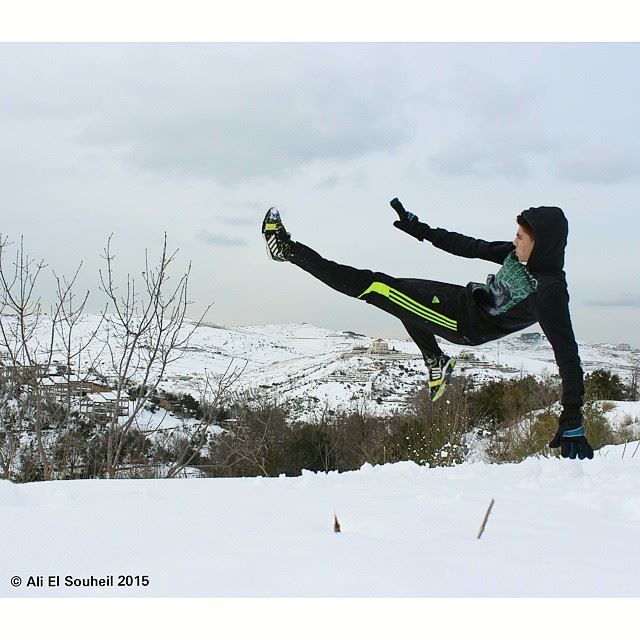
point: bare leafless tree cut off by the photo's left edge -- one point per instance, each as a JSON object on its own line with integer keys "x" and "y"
{"x": 30, "y": 339}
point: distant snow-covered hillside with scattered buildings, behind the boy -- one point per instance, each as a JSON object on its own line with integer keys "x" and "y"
{"x": 318, "y": 368}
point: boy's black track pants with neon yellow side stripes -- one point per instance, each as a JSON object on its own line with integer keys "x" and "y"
{"x": 425, "y": 307}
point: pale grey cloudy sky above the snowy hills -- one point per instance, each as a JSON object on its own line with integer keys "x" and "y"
{"x": 199, "y": 140}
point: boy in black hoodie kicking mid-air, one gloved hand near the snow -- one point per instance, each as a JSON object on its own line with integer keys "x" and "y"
{"x": 529, "y": 287}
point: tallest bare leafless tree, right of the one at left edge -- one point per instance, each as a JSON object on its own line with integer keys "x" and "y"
{"x": 147, "y": 330}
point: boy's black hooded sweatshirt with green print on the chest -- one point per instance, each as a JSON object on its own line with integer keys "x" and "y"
{"x": 533, "y": 293}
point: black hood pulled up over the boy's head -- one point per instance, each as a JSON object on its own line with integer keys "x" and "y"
{"x": 551, "y": 229}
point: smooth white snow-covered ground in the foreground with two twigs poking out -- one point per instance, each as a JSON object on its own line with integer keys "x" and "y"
{"x": 558, "y": 528}
